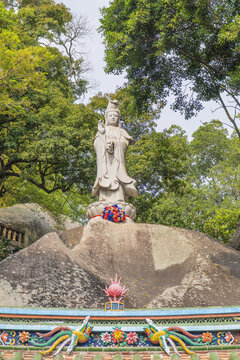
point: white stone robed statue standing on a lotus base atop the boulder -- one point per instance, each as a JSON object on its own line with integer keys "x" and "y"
{"x": 112, "y": 185}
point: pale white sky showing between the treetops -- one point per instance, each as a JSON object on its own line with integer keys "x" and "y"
{"x": 107, "y": 83}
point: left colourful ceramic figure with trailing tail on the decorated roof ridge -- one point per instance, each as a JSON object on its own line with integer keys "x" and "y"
{"x": 65, "y": 336}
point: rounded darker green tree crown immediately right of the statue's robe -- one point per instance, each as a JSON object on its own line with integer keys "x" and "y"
{"x": 158, "y": 161}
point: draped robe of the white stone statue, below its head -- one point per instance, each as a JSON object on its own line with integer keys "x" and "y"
{"x": 112, "y": 181}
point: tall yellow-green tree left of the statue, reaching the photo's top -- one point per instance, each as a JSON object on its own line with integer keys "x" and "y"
{"x": 45, "y": 137}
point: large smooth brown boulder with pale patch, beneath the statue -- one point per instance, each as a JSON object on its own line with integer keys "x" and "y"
{"x": 162, "y": 266}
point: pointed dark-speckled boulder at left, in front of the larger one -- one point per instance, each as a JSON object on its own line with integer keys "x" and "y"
{"x": 45, "y": 275}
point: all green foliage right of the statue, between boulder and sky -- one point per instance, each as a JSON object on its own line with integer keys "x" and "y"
{"x": 190, "y": 185}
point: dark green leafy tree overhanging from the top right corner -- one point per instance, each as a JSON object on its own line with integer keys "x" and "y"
{"x": 179, "y": 47}
